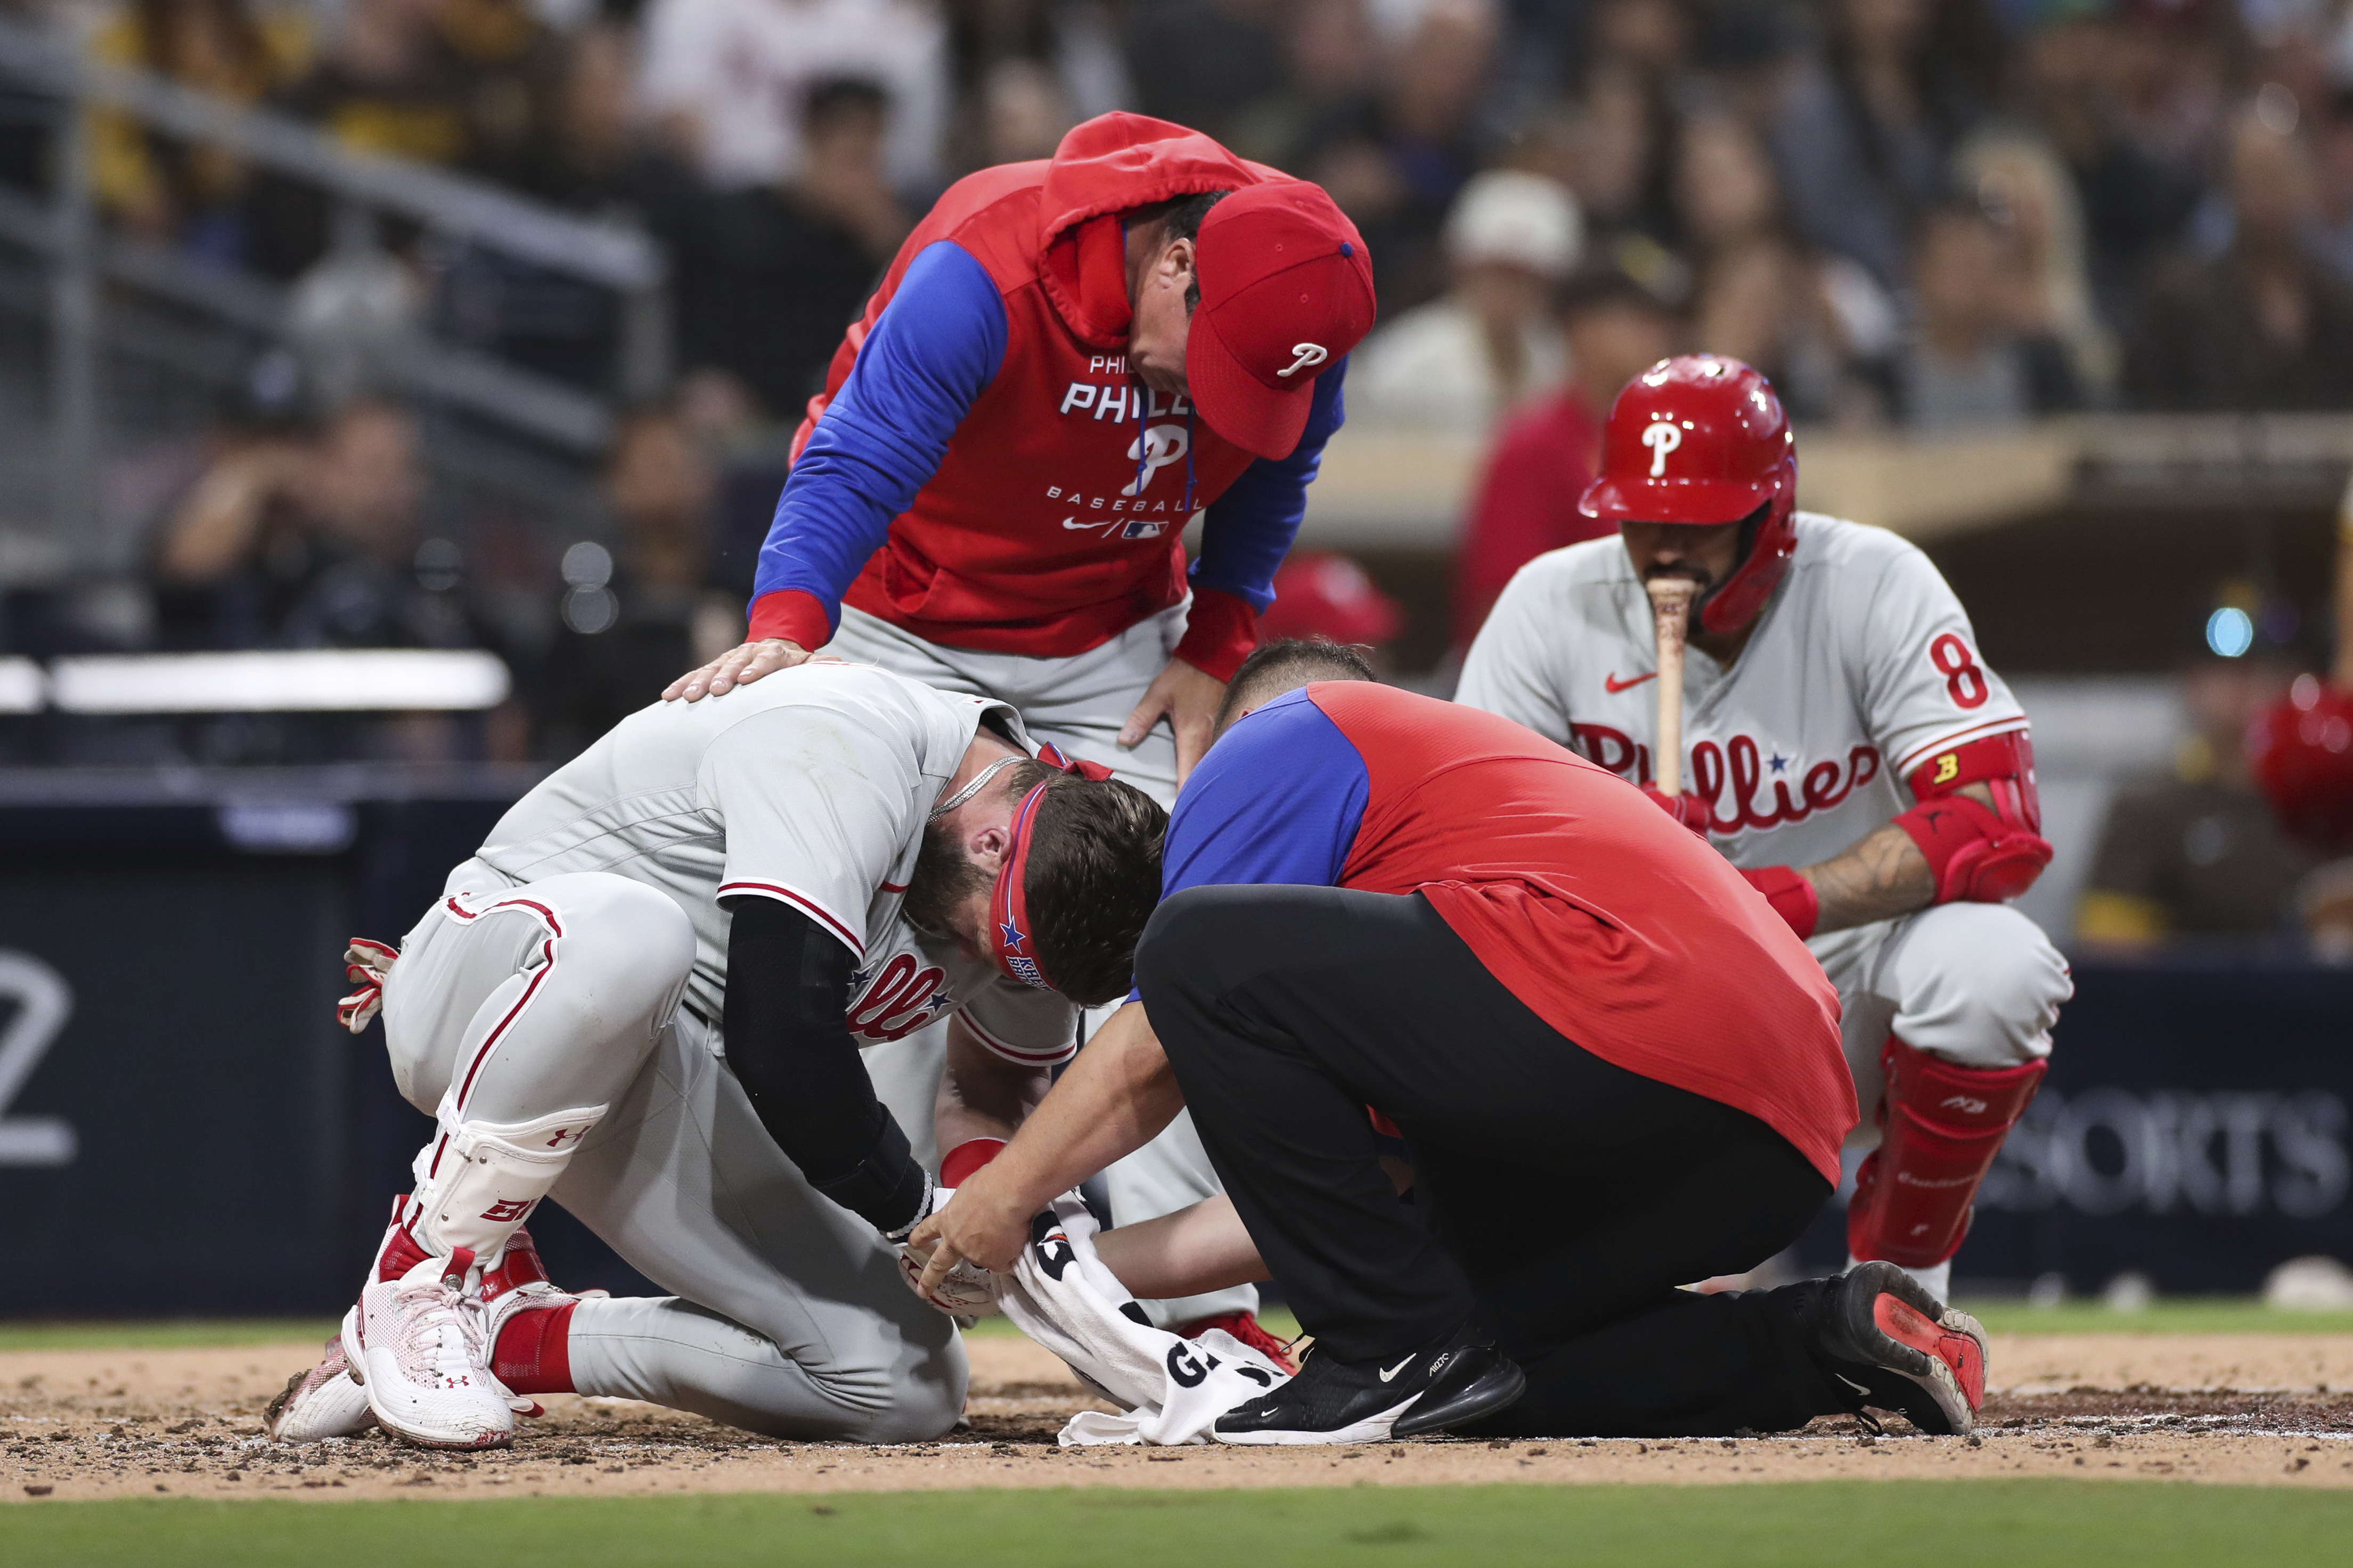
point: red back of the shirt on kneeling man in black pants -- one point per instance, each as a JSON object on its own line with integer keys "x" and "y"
{"x": 1592, "y": 906}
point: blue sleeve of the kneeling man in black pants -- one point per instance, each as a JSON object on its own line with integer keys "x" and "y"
{"x": 1279, "y": 798}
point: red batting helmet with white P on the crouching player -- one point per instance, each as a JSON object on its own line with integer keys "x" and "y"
{"x": 1702, "y": 441}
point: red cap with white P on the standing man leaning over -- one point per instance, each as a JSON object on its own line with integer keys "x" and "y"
{"x": 1286, "y": 288}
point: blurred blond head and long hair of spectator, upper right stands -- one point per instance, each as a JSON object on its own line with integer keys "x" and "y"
{"x": 2022, "y": 185}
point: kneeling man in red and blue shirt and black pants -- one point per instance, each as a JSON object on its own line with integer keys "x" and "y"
{"x": 1615, "y": 1066}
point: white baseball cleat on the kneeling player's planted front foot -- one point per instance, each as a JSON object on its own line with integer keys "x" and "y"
{"x": 420, "y": 1346}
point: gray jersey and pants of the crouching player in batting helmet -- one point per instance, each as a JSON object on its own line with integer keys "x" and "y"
{"x": 1860, "y": 666}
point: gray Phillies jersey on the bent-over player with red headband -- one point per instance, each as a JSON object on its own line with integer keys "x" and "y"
{"x": 813, "y": 789}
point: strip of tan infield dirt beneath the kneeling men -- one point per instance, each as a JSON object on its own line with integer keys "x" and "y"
{"x": 135, "y": 1423}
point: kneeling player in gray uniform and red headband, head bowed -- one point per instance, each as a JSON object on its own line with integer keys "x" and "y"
{"x": 646, "y": 996}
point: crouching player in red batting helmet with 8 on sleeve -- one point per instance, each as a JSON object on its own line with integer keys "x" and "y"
{"x": 1844, "y": 744}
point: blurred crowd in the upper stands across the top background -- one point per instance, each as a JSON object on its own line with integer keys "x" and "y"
{"x": 1912, "y": 213}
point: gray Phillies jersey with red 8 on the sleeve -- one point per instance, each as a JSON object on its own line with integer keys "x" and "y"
{"x": 1860, "y": 669}
